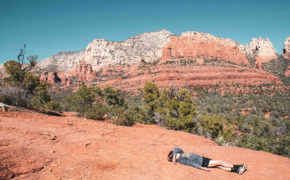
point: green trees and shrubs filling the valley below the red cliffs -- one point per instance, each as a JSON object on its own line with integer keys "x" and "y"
{"x": 230, "y": 119}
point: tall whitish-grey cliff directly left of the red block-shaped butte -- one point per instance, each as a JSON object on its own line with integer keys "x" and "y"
{"x": 146, "y": 47}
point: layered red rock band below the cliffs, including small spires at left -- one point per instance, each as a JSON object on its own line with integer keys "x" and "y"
{"x": 130, "y": 78}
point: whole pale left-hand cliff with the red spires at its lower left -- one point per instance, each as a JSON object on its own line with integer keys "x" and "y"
{"x": 145, "y": 47}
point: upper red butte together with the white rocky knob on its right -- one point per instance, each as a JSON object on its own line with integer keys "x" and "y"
{"x": 198, "y": 45}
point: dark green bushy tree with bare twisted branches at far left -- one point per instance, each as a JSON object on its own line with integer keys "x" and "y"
{"x": 22, "y": 88}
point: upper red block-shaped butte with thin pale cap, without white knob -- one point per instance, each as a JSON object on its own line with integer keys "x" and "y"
{"x": 194, "y": 45}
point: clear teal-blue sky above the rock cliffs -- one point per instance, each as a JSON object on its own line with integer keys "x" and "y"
{"x": 51, "y": 26}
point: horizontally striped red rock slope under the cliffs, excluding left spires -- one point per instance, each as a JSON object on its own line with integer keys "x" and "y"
{"x": 182, "y": 76}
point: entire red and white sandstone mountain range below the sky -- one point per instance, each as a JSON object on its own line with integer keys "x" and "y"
{"x": 101, "y": 56}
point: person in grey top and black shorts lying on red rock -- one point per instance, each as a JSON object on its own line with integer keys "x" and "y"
{"x": 203, "y": 163}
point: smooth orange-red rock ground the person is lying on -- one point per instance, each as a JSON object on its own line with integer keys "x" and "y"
{"x": 36, "y": 146}
